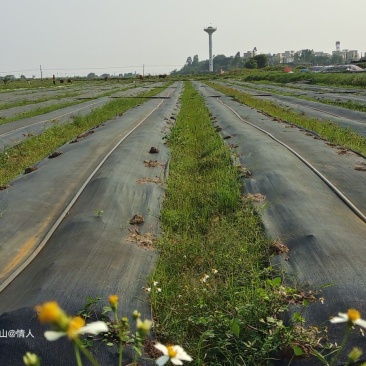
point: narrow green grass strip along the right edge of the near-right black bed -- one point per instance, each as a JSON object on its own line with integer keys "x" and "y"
{"x": 327, "y": 129}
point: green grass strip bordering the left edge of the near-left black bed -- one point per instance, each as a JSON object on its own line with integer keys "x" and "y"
{"x": 14, "y": 160}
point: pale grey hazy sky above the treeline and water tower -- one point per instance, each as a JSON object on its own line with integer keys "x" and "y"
{"x": 117, "y": 36}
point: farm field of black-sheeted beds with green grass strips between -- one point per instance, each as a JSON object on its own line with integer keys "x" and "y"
{"x": 66, "y": 230}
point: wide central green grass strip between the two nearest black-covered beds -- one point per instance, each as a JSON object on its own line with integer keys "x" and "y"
{"x": 217, "y": 297}
